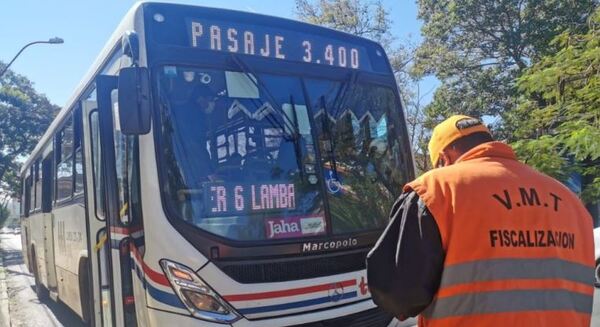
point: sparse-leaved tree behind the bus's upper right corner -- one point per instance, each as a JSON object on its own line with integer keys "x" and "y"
{"x": 370, "y": 19}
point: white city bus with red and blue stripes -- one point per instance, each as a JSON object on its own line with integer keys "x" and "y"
{"x": 217, "y": 167}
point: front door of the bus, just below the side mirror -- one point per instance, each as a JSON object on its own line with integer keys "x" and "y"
{"x": 118, "y": 154}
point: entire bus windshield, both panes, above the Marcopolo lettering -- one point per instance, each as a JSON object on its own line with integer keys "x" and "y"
{"x": 260, "y": 157}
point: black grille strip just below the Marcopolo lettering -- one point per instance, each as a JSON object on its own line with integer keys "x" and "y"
{"x": 293, "y": 269}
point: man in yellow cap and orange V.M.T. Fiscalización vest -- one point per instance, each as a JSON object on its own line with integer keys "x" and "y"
{"x": 484, "y": 240}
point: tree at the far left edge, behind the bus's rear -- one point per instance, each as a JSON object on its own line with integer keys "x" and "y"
{"x": 24, "y": 116}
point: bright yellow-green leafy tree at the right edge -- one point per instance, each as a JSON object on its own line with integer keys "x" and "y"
{"x": 557, "y": 121}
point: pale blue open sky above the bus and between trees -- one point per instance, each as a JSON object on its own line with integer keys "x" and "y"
{"x": 56, "y": 70}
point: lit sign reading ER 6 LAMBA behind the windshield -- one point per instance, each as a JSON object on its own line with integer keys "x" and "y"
{"x": 234, "y": 199}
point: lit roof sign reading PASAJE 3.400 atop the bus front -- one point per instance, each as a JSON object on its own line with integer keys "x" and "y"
{"x": 276, "y": 43}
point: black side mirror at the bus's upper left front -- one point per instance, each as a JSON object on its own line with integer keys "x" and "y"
{"x": 134, "y": 101}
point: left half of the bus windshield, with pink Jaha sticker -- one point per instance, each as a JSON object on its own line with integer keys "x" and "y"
{"x": 234, "y": 165}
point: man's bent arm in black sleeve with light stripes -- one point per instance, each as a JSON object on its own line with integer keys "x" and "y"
{"x": 404, "y": 277}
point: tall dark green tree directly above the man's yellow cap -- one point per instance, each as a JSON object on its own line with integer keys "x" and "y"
{"x": 477, "y": 49}
